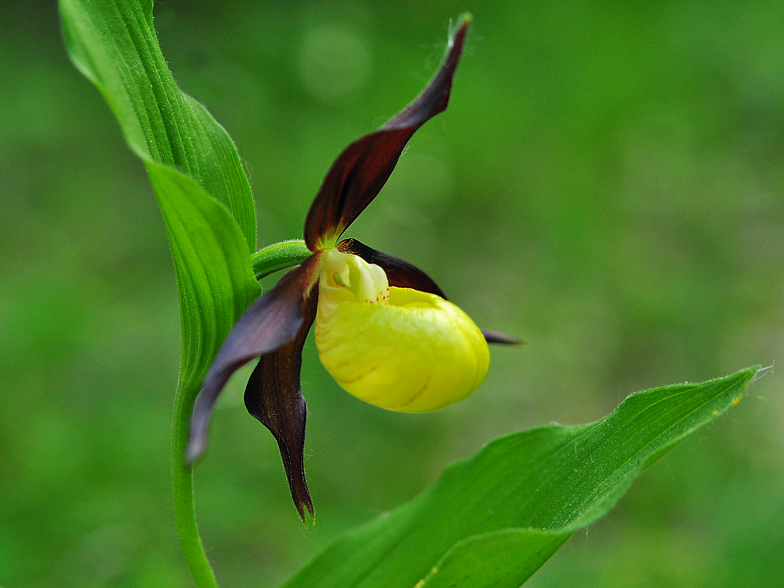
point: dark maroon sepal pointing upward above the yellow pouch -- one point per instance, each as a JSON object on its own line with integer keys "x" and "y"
{"x": 364, "y": 167}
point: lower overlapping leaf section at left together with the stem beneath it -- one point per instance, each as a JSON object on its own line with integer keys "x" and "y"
{"x": 215, "y": 285}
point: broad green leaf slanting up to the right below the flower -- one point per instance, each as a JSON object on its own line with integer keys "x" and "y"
{"x": 495, "y": 518}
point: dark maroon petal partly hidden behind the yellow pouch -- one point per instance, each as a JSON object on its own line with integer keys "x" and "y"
{"x": 402, "y": 274}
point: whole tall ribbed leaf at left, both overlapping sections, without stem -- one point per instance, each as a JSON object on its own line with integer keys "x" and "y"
{"x": 192, "y": 163}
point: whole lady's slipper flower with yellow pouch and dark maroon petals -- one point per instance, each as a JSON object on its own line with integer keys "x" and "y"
{"x": 384, "y": 330}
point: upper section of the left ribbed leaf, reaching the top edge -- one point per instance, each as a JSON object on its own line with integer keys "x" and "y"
{"x": 113, "y": 43}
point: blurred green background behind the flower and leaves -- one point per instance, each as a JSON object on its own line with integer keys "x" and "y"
{"x": 607, "y": 184}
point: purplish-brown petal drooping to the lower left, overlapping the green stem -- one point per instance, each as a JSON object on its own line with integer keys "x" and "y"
{"x": 273, "y": 320}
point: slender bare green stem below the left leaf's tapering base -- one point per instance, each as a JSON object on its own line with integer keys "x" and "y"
{"x": 182, "y": 489}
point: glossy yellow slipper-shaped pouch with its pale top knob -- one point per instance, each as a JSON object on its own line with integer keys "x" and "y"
{"x": 396, "y": 348}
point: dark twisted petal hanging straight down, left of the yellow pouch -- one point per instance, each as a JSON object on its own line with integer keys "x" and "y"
{"x": 274, "y": 396}
